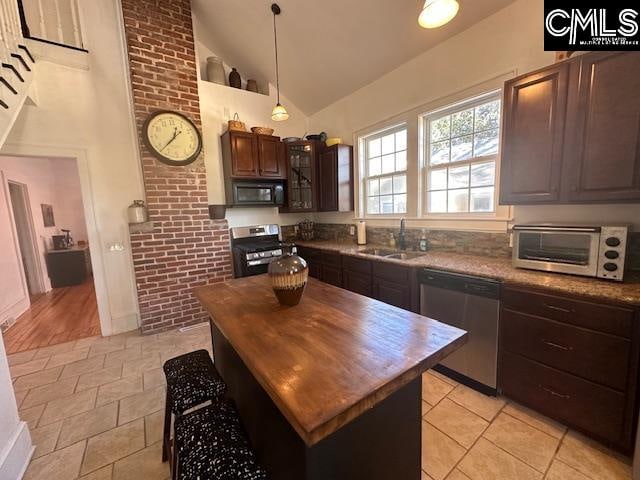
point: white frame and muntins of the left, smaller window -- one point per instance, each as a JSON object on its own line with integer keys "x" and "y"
{"x": 364, "y": 167}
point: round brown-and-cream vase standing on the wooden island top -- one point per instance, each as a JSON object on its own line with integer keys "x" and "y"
{"x": 288, "y": 275}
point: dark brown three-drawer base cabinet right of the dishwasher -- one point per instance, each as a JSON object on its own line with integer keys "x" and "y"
{"x": 573, "y": 360}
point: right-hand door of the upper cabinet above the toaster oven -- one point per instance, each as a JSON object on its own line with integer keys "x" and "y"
{"x": 603, "y": 126}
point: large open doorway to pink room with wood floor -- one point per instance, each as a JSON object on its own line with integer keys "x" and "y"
{"x": 51, "y": 274}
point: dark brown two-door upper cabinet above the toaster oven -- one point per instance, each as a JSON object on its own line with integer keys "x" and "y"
{"x": 571, "y": 132}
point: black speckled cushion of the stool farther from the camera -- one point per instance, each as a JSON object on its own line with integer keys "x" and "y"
{"x": 192, "y": 380}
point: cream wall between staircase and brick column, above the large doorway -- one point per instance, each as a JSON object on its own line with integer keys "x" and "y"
{"x": 83, "y": 110}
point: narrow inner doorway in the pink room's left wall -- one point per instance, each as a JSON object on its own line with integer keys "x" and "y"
{"x": 25, "y": 232}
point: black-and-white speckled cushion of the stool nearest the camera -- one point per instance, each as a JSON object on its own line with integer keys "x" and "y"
{"x": 211, "y": 445}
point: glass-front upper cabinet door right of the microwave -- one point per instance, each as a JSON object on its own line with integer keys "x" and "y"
{"x": 302, "y": 174}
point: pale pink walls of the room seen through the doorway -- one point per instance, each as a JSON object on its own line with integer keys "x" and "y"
{"x": 51, "y": 181}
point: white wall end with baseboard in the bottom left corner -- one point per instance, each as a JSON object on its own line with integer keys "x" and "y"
{"x": 15, "y": 442}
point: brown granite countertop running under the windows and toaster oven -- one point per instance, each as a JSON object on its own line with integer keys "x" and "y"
{"x": 501, "y": 269}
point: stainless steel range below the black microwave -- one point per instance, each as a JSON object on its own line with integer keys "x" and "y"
{"x": 254, "y": 248}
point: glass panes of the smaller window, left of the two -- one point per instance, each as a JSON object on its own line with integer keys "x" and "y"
{"x": 385, "y": 166}
